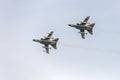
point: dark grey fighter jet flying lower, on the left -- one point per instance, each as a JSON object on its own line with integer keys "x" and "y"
{"x": 48, "y": 41}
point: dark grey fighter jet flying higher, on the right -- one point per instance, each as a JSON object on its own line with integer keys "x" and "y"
{"x": 84, "y": 26}
